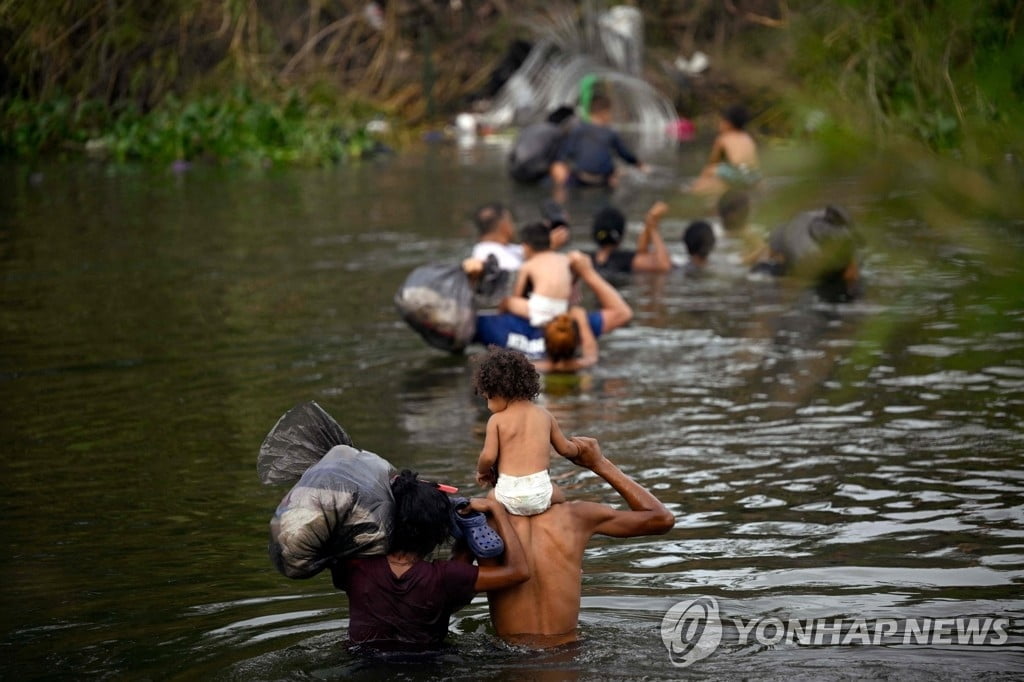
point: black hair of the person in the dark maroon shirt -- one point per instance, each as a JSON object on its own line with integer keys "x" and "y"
{"x": 422, "y": 517}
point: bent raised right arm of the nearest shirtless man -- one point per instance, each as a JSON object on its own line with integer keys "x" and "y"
{"x": 647, "y": 517}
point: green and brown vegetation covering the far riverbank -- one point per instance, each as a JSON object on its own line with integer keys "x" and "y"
{"x": 298, "y": 81}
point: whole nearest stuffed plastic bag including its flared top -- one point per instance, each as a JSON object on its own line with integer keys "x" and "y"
{"x": 342, "y": 505}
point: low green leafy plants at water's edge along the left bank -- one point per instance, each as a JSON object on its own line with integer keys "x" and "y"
{"x": 237, "y": 129}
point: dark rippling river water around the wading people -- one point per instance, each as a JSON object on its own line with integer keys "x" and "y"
{"x": 838, "y": 462}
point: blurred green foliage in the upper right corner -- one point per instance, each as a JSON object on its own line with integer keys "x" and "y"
{"x": 944, "y": 72}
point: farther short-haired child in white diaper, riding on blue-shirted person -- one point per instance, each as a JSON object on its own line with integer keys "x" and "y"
{"x": 544, "y": 285}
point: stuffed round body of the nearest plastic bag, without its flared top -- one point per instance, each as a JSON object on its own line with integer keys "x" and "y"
{"x": 342, "y": 507}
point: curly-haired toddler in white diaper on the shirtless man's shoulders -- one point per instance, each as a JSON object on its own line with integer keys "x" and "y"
{"x": 518, "y": 446}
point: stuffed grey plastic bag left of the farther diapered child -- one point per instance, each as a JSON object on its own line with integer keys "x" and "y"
{"x": 437, "y": 301}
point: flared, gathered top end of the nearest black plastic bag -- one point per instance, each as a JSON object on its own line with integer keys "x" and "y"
{"x": 297, "y": 442}
